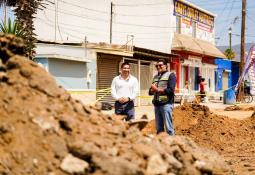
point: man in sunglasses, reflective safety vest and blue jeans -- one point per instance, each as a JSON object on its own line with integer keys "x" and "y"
{"x": 163, "y": 87}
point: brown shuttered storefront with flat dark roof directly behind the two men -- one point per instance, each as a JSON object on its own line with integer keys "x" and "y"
{"x": 142, "y": 62}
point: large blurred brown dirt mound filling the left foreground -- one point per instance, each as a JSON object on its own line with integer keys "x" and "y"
{"x": 44, "y": 131}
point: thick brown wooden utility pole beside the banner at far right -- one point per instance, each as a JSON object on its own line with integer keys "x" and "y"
{"x": 241, "y": 92}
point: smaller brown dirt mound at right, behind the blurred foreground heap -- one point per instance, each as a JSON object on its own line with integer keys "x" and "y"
{"x": 234, "y": 139}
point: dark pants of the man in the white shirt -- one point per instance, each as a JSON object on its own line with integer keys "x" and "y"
{"x": 125, "y": 109}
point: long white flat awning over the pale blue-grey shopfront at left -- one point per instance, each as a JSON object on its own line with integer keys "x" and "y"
{"x": 63, "y": 57}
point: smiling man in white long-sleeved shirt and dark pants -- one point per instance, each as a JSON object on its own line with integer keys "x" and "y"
{"x": 124, "y": 90}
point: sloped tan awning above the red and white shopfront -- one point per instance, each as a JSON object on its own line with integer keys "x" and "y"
{"x": 189, "y": 44}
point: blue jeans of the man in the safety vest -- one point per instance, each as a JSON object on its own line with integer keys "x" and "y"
{"x": 163, "y": 118}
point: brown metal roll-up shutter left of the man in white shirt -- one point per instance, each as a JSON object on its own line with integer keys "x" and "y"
{"x": 107, "y": 69}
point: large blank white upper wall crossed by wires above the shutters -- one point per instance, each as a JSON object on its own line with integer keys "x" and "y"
{"x": 151, "y": 22}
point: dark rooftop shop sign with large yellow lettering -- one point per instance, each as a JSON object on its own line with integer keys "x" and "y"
{"x": 190, "y": 12}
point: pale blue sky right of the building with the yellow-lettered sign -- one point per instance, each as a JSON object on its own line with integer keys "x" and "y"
{"x": 228, "y": 15}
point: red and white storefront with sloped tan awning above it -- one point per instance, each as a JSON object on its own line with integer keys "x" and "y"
{"x": 197, "y": 61}
